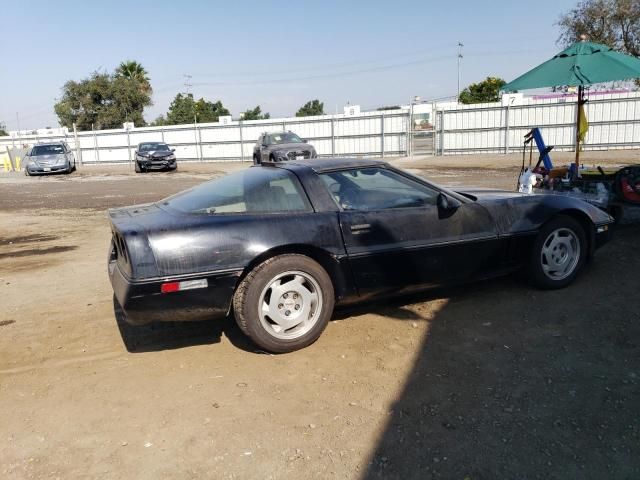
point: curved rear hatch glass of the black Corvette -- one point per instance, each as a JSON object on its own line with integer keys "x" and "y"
{"x": 254, "y": 190}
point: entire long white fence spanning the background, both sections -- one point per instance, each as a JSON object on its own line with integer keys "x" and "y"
{"x": 614, "y": 120}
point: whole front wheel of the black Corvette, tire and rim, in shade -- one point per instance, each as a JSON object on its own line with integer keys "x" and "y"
{"x": 559, "y": 252}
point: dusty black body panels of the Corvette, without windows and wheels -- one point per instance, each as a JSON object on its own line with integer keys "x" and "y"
{"x": 366, "y": 253}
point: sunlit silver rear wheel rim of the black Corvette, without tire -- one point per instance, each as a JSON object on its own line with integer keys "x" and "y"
{"x": 290, "y": 305}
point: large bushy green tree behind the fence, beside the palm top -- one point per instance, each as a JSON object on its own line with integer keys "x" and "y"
{"x": 102, "y": 101}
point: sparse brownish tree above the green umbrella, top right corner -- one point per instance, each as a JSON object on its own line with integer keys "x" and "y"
{"x": 615, "y": 23}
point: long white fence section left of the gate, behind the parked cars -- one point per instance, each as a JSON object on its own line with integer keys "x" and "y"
{"x": 366, "y": 134}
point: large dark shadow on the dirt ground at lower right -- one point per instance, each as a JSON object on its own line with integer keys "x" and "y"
{"x": 513, "y": 382}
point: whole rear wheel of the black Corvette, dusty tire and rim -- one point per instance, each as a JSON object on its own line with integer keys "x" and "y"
{"x": 298, "y": 313}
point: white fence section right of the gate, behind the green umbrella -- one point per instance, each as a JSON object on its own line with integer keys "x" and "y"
{"x": 614, "y": 122}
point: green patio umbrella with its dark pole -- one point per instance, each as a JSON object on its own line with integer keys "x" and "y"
{"x": 583, "y": 63}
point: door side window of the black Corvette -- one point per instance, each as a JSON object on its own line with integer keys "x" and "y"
{"x": 377, "y": 189}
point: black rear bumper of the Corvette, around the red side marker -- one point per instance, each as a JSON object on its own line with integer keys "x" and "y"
{"x": 143, "y": 302}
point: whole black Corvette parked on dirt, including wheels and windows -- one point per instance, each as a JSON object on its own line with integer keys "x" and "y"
{"x": 280, "y": 243}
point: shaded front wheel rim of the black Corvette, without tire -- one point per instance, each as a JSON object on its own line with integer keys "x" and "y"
{"x": 560, "y": 254}
